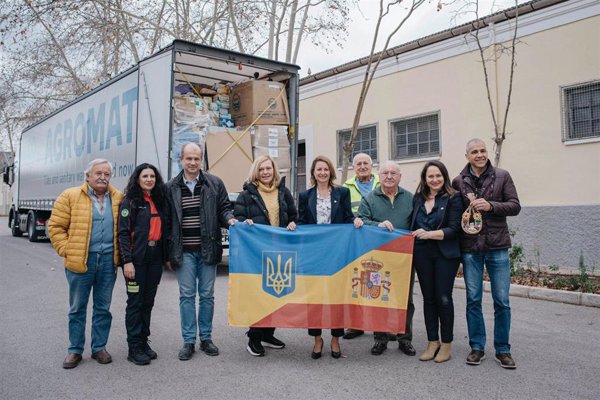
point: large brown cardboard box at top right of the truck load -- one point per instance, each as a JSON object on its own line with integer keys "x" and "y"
{"x": 249, "y": 99}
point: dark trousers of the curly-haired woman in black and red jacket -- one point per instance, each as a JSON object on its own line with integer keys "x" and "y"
{"x": 141, "y": 292}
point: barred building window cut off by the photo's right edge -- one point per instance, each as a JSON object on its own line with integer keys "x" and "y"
{"x": 581, "y": 111}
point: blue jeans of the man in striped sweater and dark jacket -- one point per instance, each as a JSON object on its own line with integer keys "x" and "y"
{"x": 194, "y": 275}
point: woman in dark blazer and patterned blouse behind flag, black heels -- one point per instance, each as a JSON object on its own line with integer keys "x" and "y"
{"x": 325, "y": 203}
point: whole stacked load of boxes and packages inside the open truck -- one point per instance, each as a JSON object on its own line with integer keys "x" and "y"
{"x": 234, "y": 123}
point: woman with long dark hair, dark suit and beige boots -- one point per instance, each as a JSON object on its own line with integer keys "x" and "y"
{"x": 436, "y": 217}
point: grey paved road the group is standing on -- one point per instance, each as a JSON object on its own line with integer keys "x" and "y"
{"x": 556, "y": 347}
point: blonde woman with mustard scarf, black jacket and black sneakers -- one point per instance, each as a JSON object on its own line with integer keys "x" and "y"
{"x": 265, "y": 200}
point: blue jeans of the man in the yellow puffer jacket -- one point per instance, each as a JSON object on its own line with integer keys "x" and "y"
{"x": 100, "y": 275}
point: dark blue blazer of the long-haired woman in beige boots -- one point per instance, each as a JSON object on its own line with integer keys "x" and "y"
{"x": 450, "y": 212}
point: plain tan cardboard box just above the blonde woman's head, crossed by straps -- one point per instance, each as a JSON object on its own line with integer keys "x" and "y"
{"x": 227, "y": 159}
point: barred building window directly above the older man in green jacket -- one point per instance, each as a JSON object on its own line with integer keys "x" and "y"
{"x": 415, "y": 137}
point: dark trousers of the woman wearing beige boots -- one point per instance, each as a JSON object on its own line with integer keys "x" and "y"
{"x": 436, "y": 278}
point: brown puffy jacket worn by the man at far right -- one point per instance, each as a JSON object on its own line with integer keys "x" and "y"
{"x": 498, "y": 188}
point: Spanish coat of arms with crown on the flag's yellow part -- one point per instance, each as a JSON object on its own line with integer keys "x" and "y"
{"x": 371, "y": 283}
